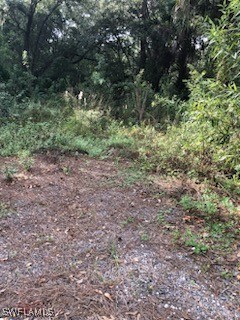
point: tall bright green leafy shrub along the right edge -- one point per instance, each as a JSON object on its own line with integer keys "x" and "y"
{"x": 213, "y": 113}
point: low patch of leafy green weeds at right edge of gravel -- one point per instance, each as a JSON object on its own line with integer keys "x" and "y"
{"x": 219, "y": 229}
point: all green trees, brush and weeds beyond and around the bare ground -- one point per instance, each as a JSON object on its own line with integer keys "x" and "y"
{"x": 124, "y": 87}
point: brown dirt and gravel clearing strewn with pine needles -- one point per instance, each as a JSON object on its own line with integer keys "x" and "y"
{"x": 83, "y": 241}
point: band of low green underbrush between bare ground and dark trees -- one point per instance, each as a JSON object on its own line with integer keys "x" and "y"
{"x": 182, "y": 149}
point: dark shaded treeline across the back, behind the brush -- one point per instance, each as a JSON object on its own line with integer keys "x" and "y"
{"x": 102, "y": 45}
